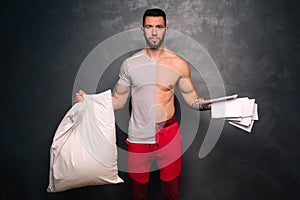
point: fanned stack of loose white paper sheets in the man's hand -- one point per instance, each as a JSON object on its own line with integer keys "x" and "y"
{"x": 240, "y": 112}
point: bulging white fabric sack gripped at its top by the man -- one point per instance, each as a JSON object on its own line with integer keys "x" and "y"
{"x": 83, "y": 151}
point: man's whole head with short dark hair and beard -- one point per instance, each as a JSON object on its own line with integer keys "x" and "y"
{"x": 154, "y": 27}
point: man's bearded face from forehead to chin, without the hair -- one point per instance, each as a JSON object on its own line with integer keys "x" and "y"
{"x": 154, "y": 31}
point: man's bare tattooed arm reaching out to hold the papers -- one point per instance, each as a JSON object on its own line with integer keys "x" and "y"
{"x": 187, "y": 89}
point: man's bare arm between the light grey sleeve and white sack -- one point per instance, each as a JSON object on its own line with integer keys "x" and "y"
{"x": 120, "y": 96}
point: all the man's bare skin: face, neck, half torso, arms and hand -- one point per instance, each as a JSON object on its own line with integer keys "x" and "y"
{"x": 172, "y": 71}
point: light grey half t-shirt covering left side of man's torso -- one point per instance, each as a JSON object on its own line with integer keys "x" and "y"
{"x": 139, "y": 72}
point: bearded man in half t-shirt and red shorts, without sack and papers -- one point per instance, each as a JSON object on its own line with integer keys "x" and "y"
{"x": 150, "y": 77}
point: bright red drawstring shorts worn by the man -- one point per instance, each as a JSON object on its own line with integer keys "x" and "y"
{"x": 167, "y": 152}
